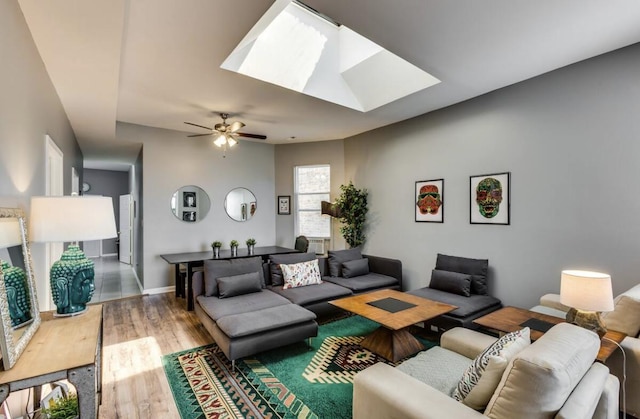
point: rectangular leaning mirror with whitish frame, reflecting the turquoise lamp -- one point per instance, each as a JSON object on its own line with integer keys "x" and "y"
{"x": 19, "y": 313}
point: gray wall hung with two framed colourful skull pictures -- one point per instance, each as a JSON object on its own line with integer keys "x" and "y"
{"x": 571, "y": 142}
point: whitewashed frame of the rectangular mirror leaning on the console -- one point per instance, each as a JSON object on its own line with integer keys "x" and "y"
{"x": 12, "y": 350}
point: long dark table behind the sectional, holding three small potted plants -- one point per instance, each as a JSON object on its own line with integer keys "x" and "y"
{"x": 194, "y": 259}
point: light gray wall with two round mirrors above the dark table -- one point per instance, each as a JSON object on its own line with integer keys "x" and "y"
{"x": 172, "y": 160}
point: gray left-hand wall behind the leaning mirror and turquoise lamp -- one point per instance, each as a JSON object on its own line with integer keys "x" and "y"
{"x": 29, "y": 109}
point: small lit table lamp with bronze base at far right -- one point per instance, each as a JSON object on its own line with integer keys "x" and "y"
{"x": 587, "y": 294}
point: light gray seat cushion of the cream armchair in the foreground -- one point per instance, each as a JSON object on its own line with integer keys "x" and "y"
{"x": 427, "y": 367}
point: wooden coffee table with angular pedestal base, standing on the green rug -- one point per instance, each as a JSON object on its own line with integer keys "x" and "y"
{"x": 392, "y": 341}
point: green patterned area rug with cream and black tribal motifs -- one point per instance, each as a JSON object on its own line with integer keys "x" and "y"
{"x": 295, "y": 381}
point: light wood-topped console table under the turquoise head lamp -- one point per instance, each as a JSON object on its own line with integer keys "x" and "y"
{"x": 63, "y": 348}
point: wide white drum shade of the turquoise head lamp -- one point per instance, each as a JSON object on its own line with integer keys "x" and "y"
{"x": 71, "y": 218}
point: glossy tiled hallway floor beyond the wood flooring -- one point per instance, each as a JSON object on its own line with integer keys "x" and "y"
{"x": 113, "y": 280}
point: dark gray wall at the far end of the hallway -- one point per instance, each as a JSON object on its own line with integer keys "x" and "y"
{"x": 113, "y": 184}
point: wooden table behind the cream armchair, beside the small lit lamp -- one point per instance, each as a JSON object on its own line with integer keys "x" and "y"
{"x": 510, "y": 319}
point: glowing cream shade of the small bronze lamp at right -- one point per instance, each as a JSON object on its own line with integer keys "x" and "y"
{"x": 587, "y": 291}
